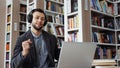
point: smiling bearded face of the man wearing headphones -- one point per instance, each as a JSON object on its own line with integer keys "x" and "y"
{"x": 38, "y": 20}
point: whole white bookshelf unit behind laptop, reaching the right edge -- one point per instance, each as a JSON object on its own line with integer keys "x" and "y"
{"x": 96, "y": 22}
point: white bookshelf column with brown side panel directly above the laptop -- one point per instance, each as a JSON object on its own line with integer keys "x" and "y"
{"x": 76, "y": 21}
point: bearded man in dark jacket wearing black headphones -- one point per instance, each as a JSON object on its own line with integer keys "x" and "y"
{"x": 35, "y": 48}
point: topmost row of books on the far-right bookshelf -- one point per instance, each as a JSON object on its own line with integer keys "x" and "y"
{"x": 103, "y": 6}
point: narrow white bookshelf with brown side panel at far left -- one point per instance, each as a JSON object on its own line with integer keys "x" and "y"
{"x": 11, "y": 32}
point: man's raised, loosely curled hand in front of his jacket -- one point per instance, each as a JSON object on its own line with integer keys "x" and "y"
{"x": 26, "y": 47}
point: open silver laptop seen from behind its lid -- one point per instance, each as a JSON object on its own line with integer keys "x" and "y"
{"x": 76, "y": 55}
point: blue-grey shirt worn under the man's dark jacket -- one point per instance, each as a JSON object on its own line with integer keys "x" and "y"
{"x": 42, "y": 52}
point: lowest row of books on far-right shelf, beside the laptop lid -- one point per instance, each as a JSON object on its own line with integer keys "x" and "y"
{"x": 105, "y": 52}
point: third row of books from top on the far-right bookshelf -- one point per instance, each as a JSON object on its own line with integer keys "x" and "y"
{"x": 102, "y": 37}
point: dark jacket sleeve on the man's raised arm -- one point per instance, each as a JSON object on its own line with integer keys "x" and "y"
{"x": 17, "y": 58}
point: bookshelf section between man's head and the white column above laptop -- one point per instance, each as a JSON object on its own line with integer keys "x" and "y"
{"x": 54, "y": 10}
